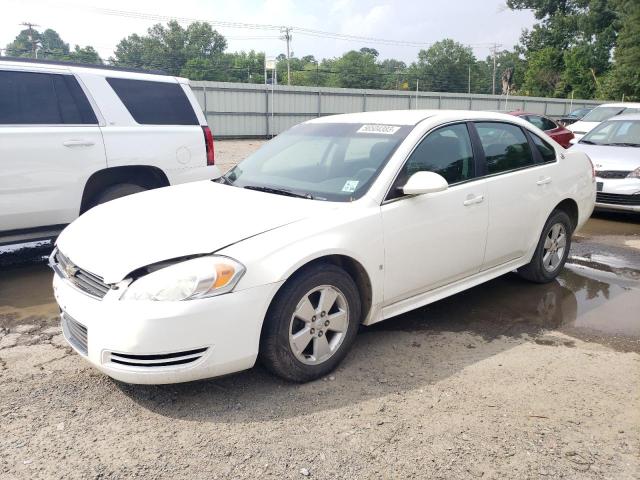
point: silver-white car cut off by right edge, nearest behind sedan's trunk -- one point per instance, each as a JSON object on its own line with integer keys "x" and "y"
{"x": 614, "y": 149}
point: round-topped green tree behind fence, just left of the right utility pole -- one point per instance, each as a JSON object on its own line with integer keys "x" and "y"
{"x": 444, "y": 67}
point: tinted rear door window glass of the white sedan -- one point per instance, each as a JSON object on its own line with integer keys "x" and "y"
{"x": 505, "y": 147}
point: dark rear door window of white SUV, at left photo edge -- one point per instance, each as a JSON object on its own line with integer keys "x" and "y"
{"x": 28, "y": 98}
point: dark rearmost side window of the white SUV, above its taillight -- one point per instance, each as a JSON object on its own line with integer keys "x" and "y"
{"x": 154, "y": 103}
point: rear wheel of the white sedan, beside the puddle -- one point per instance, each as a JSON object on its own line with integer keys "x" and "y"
{"x": 543, "y": 268}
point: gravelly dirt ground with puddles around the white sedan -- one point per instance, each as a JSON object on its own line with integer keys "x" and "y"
{"x": 507, "y": 380}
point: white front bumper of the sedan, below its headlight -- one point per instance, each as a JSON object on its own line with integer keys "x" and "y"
{"x": 149, "y": 342}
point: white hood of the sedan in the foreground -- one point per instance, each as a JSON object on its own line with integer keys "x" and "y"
{"x": 116, "y": 238}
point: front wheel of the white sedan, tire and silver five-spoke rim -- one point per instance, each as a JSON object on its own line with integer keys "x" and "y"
{"x": 295, "y": 317}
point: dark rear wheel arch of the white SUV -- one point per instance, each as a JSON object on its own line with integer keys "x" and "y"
{"x": 144, "y": 175}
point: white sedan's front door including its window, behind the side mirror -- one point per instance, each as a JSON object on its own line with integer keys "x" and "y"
{"x": 435, "y": 239}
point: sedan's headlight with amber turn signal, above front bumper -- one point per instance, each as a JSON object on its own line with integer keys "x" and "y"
{"x": 196, "y": 278}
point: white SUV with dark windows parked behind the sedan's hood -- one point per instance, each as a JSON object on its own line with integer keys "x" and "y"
{"x": 72, "y": 137}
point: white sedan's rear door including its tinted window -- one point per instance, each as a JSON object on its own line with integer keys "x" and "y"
{"x": 519, "y": 188}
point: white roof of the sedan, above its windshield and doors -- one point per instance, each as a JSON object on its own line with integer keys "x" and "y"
{"x": 412, "y": 117}
